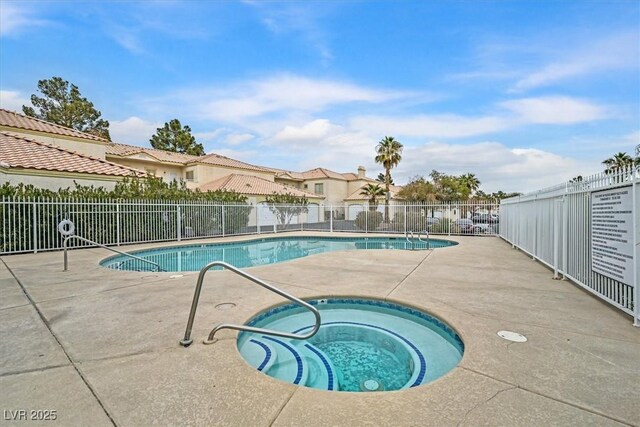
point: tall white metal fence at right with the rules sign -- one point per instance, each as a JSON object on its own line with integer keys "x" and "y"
{"x": 588, "y": 231}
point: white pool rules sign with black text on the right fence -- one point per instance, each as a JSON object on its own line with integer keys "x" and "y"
{"x": 612, "y": 234}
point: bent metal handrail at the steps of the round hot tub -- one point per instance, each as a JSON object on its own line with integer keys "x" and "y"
{"x": 187, "y": 340}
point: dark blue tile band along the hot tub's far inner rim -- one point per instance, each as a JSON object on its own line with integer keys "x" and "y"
{"x": 457, "y": 341}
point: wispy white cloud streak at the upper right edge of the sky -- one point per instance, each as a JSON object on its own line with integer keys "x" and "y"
{"x": 618, "y": 51}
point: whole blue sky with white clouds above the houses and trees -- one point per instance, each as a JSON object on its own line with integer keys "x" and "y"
{"x": 524, "y": 94}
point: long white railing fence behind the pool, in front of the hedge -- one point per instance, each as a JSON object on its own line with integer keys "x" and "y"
{"x": 31, "y": 225}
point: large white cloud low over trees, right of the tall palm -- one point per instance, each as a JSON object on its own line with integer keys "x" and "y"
{"x": 497, "y": 166}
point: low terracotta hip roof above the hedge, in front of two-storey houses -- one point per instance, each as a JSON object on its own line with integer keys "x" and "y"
{"x": 247, "y": 184}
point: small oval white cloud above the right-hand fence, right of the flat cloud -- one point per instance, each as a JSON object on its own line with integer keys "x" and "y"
{"x": 555, "y": 110}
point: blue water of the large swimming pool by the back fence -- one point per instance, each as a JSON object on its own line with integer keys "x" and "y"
{"x": 255, "y": 252}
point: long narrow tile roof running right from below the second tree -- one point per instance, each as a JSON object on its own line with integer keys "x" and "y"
{"x": 124, "y": 150}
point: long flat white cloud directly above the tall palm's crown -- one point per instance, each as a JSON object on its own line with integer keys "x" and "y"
{"x": 437, "y": 126}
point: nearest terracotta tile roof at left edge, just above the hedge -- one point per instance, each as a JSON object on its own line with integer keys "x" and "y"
{"x": 19, "y": 152}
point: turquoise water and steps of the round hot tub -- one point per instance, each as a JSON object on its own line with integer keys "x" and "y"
{"x": 362, "y": 345}
